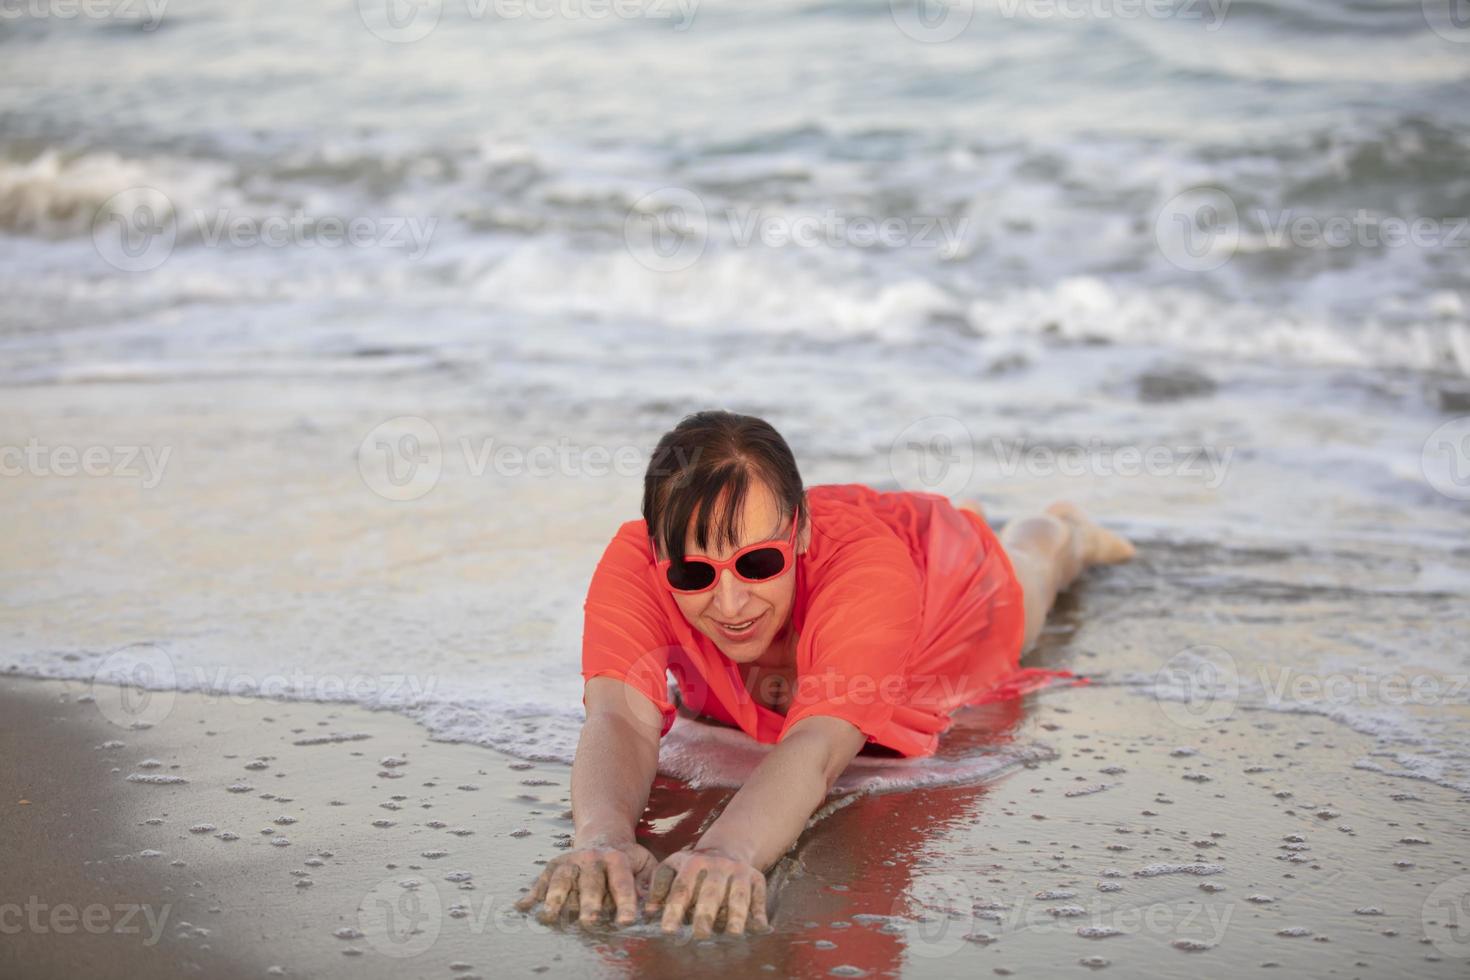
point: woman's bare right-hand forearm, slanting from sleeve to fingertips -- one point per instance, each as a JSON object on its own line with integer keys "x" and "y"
{"x": 761, "y": 824}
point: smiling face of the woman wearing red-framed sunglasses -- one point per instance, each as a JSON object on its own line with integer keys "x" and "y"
{"x": 733, "y": 602}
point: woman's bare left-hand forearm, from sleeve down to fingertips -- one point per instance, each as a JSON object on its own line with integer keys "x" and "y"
{"x": 612, "y": 774}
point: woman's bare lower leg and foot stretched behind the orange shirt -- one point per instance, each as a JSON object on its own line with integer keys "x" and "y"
{"x": 1050, "y": 552}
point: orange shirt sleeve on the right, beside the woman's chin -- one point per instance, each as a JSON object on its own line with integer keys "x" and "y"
{"x": 864, "y": 622}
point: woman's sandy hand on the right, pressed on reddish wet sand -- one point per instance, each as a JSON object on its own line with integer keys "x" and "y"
{"x": 708, "y": 882}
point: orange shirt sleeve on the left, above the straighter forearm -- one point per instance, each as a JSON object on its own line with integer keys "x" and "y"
{"x": 625, "y": 634}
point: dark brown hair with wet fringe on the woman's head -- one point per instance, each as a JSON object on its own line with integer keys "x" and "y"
{"x": 706, "y": 455}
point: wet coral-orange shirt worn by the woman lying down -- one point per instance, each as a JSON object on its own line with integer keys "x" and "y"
{"x": 906, "y": 609}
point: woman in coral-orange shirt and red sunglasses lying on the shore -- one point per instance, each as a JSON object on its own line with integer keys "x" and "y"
{"x": 821, "y": 621}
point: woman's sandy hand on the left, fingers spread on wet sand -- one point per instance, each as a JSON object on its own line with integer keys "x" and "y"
{"x": 598, "y": 872}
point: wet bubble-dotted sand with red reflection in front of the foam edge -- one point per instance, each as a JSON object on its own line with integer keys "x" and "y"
{"x": 317, "y": 841}
